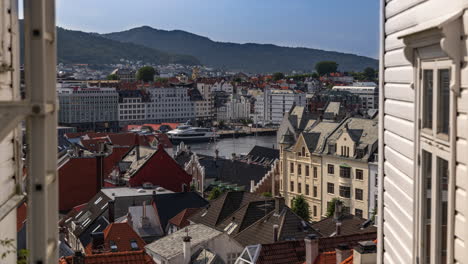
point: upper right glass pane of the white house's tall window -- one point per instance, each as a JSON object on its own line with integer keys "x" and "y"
{"x": 443, "y": 108}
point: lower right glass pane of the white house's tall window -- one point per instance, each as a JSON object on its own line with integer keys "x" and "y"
{"x": 443, "y": 177}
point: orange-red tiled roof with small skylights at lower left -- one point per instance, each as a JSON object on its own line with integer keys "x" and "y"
{"x": 121, "y": 234}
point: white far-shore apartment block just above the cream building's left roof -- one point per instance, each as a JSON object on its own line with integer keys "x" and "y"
{"x": 276, "y": 103}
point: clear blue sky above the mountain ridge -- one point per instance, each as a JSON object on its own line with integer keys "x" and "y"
{"x": 340, "y": 25}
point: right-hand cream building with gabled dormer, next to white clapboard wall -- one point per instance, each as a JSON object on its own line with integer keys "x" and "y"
{"x": 346, "y": 169}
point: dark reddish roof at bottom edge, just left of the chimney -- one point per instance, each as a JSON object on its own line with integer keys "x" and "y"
{"x": 284, "y": 252}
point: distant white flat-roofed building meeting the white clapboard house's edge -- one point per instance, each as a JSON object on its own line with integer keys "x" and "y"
{"x": 367, "y": 91}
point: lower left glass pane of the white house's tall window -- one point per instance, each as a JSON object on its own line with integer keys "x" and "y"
{"x": 426, "y": 177}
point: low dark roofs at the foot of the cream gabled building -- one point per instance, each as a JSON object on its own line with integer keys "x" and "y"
{"x": 350, "y": 225}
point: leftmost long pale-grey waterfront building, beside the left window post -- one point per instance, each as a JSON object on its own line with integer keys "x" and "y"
{"x": 88, "y": 108}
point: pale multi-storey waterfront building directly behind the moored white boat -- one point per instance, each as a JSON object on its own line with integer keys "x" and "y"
{"x": 169, "y": 104}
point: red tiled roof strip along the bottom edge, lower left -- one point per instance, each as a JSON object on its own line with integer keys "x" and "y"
{"x": 129, "y": 257}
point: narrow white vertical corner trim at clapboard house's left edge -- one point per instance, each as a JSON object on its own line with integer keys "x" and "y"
{"x": 381, "y": 132}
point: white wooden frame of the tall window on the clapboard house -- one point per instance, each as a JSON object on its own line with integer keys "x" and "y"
{"x": 438, "y": 145}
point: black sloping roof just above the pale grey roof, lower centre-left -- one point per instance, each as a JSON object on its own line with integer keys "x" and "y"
{"x": 170, "y": 204}
